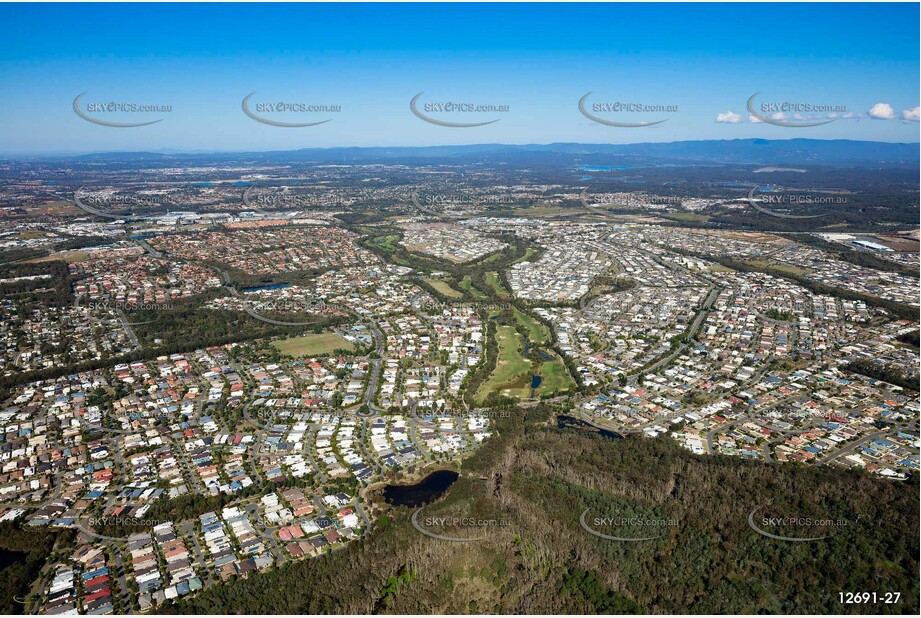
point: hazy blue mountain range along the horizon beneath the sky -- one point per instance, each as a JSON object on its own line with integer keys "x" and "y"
{"x": 799, "y": 151}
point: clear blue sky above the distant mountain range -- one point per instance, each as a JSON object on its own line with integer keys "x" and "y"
{"x": 371, "y": 59}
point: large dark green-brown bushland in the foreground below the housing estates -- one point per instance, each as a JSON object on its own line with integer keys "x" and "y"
{"x": 540, "y": 479}
